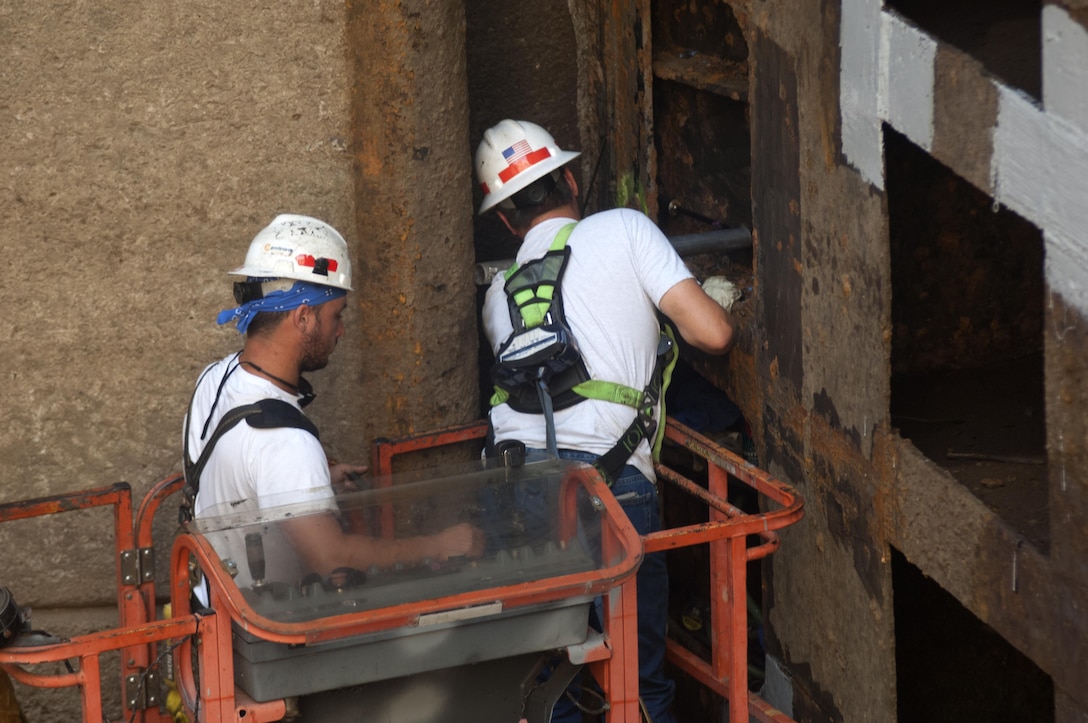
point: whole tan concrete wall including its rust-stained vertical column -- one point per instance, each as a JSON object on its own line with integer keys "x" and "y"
{"x": 144, "y": 147}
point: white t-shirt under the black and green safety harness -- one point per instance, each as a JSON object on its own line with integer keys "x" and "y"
{"x": 621, "y": 267}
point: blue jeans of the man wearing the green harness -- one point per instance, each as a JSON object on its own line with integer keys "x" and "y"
{"x": 638, "y": 497}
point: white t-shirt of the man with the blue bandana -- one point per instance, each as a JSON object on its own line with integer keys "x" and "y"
{"x": 252, "y": 470}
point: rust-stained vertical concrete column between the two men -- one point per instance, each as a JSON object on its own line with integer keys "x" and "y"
{"x": 413, "y": 209}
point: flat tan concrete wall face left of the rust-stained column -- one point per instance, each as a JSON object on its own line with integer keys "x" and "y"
{"x": 145, "y": 149}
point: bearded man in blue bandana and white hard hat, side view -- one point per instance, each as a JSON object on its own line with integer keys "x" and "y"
{"x": 291, "y": 296}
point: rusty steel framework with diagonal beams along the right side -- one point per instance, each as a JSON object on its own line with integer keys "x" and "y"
{"x": 824, "y": 346}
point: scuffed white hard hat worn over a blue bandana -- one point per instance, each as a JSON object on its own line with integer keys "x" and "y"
{"x": 301, "y": 248}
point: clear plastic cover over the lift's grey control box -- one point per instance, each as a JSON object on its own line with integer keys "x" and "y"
{"x": 528, "y": 523}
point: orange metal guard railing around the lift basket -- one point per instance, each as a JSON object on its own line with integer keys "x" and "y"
{"x": 202, "y": 639}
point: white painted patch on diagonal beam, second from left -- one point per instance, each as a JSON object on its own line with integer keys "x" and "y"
{"x": 910, "y": 57}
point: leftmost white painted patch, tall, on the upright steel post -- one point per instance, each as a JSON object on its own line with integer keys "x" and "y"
{"x": 860, "y": 89}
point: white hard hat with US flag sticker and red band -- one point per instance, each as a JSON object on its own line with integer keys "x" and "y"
{"x": 512, "y": 156}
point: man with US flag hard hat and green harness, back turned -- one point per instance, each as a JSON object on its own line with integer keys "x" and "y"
{"x": 591, "y": 289}
